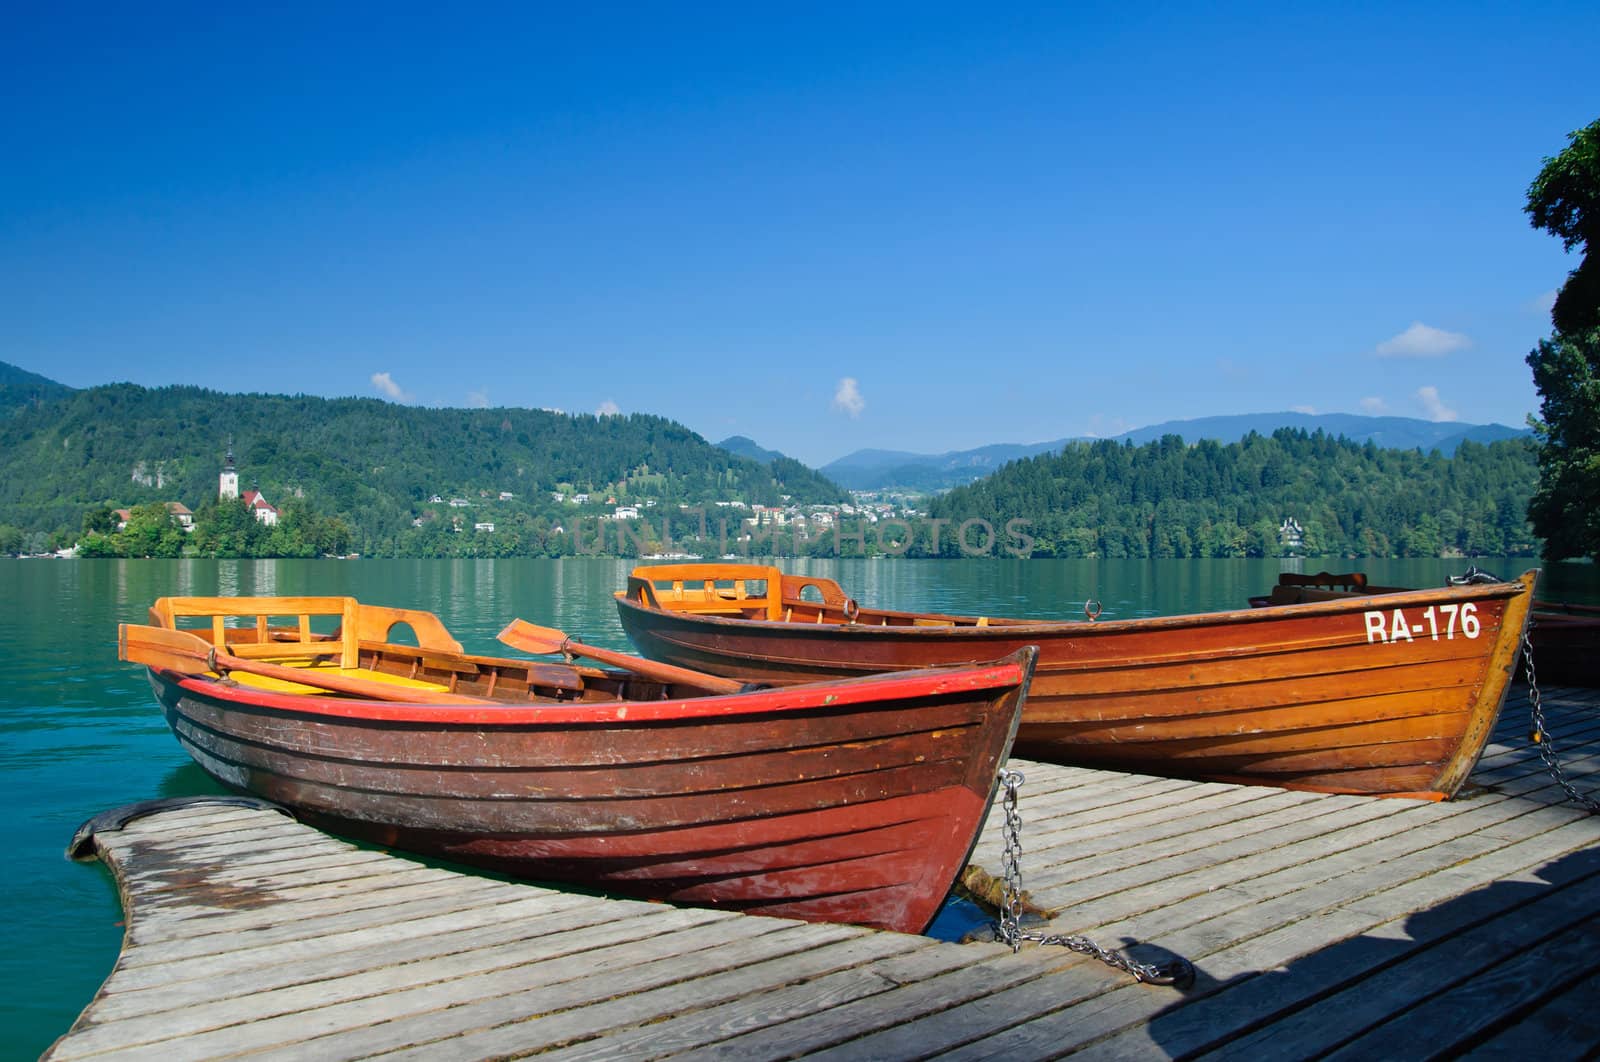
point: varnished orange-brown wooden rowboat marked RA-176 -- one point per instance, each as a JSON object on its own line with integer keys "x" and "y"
{"x": 1358, "y": 695}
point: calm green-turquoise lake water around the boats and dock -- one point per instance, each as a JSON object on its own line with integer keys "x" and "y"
{"x": 81, "y": 733}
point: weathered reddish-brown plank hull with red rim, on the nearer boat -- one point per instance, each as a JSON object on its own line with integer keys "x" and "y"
{"x": 854, "y": 802}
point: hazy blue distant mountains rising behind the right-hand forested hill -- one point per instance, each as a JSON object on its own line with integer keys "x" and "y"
{"x": 878, "y": 469}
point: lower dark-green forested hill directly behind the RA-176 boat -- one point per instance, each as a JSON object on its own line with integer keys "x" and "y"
{"x": 1172, "y": 500}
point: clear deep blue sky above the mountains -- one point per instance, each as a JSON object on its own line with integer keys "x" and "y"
{"x": 905, "y": 226}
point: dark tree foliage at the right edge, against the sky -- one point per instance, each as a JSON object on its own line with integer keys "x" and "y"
{"x": 1566, "y": 508}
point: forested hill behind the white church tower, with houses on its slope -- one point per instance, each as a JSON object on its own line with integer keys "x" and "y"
{"x": 390, "y": 473}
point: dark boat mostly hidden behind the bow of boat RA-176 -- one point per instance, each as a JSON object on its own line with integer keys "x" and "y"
{"x": 1566, "y": 637}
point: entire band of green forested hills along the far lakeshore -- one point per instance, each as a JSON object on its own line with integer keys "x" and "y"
{"x": 380, "y": 479}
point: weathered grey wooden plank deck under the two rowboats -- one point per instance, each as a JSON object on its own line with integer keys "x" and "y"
{"x": 1321, "y": 927}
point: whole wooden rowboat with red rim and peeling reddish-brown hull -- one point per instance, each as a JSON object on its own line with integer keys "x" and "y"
{"x": 850, "y": 802}
